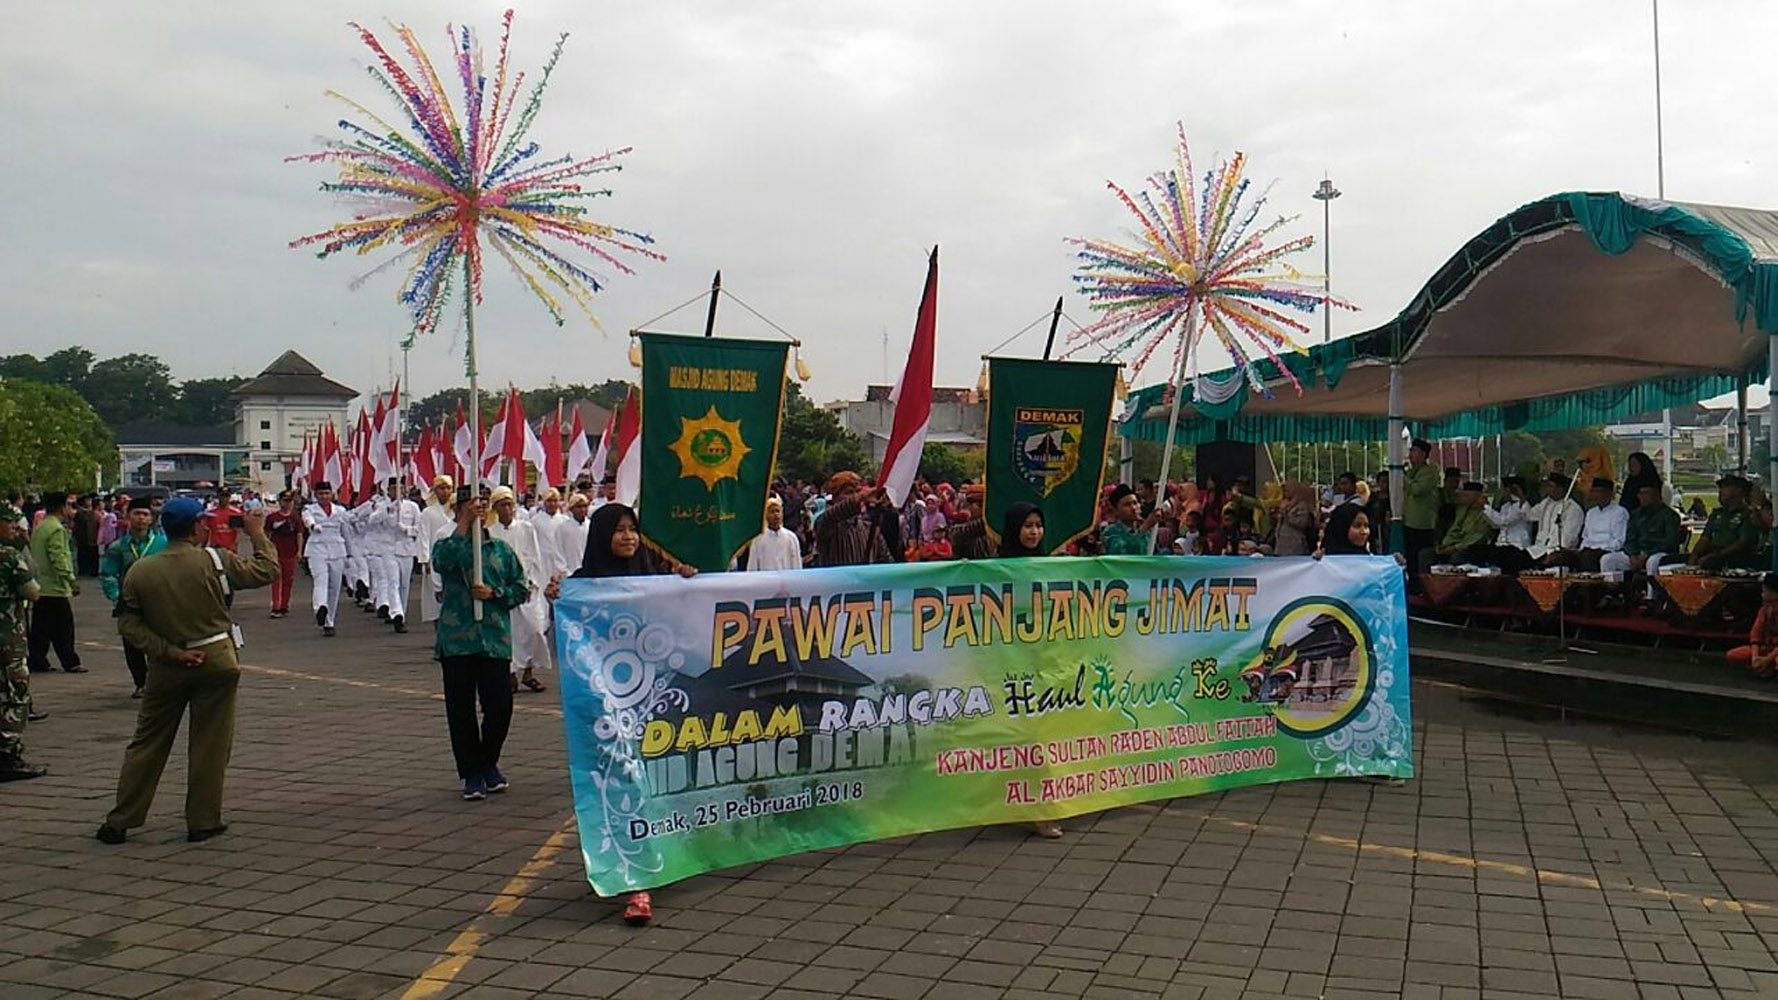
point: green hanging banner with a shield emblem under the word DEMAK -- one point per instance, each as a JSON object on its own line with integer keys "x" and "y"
{"x": 1048, "y": 435}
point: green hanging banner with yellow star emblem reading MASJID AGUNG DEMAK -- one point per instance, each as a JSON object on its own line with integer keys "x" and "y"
{"x": 710, "y": 419}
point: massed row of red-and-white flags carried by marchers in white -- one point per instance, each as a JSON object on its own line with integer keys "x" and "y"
{"x": 509, "y": 446}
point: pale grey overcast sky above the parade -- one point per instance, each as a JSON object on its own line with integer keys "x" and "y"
{"x": 813, "y": 152}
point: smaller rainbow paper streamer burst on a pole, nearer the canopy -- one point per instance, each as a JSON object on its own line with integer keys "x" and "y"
{"x": 1201, "y": 264}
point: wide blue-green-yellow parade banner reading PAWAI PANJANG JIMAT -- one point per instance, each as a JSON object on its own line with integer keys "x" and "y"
{"x": 746, "y": 716}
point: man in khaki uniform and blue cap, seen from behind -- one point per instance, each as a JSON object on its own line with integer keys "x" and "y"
{"x": 175, "y": 609}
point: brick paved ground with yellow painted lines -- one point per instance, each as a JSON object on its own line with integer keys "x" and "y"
{"x": 1528, "y": 860}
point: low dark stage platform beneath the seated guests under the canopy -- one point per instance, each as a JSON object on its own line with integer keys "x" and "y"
{"x": 1692, "y": 691}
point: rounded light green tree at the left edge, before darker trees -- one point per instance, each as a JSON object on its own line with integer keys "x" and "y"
{"x": 51, "y": 439}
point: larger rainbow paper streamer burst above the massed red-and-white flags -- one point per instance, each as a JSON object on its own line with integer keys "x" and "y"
{"x": 451, "y": 182}
